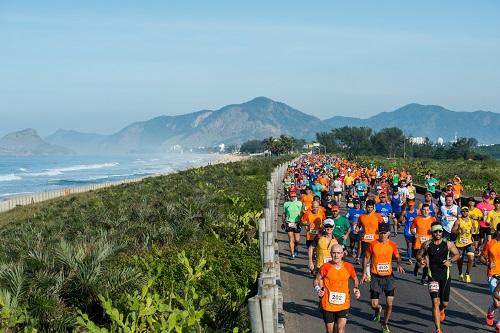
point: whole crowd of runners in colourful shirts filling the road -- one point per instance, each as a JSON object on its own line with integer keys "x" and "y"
{"x": 376, "y": 204}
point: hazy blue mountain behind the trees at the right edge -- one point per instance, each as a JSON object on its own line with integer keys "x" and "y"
{"x": 431, "y": 121}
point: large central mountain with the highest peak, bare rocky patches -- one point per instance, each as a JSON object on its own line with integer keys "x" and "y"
{"x": 257, "y": 119}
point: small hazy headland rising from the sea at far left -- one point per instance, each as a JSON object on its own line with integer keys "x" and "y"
{"x": 28, "y": 142}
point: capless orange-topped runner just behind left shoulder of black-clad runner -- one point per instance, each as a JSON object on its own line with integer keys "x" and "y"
{"x": 421, "y": 229}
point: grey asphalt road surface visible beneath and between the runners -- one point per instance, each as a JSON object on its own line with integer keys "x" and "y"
{"x": 412, "y": 305}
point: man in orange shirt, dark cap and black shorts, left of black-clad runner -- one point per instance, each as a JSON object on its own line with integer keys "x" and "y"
{"x": 380, "y": 253}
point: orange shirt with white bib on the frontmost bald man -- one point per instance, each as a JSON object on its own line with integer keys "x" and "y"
{"x": 336, "y": 284}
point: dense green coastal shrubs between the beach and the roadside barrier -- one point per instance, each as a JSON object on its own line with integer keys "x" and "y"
{"x": 171, "y": 253}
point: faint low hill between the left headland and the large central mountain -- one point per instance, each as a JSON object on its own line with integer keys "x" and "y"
{"x": 82, "y": 143}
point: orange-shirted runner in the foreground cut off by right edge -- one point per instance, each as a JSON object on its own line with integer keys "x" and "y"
{"x": 490, "y": 256}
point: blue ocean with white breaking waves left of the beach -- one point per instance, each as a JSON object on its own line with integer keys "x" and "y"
{"x": 20, "y": 175}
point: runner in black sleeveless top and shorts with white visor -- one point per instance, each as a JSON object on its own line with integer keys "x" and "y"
{"x": 435, "y": 254}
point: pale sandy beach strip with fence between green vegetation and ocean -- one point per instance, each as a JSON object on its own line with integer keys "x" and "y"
{"x": 26, "y": 199}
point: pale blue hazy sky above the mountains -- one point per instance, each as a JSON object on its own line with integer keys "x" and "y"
{"x": 96, "y": 66}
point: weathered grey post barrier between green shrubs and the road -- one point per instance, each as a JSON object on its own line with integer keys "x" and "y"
{"x": 266, "y": 308}
